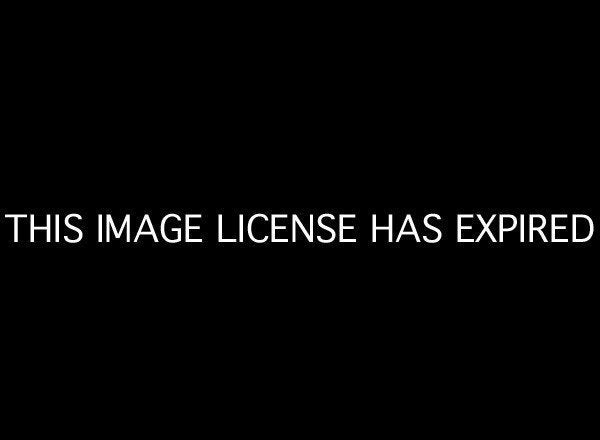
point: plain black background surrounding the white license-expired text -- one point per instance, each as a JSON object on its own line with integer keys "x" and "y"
{"x": 368, "y": 113}
